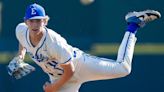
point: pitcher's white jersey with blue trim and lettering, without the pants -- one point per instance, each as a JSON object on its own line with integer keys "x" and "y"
{"x": 50, "y": 51}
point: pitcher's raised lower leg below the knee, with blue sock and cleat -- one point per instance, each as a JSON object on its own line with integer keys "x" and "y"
{"x": 135, "y": 20}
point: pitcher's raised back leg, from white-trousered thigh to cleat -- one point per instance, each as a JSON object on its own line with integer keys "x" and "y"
{"x": 94, "y": 68}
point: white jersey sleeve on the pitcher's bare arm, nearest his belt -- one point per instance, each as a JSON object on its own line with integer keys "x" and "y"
{"x": 60, "y": 50}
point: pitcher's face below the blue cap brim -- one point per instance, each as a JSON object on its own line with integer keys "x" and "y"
{"x": 35, "y": 25}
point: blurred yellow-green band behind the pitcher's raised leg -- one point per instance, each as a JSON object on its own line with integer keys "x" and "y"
{"x": 140, "y": 49}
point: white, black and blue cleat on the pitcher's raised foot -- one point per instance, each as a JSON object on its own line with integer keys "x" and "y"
{"x": 142, "y": 17}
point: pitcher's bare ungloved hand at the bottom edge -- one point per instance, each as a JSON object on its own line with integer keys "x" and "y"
{"x": 49, "y": 87}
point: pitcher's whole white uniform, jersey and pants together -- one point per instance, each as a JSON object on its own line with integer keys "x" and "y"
{"x": 53, "y": 50}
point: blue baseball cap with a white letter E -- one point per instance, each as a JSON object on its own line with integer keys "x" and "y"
{"x": 34, "y": 11}
